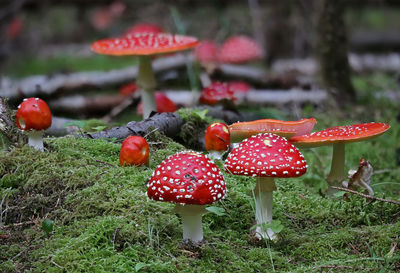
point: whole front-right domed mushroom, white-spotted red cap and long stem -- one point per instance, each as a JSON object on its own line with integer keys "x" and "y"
{"x": 265, "y": 156}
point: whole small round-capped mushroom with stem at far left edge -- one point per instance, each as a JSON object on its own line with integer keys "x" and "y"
{"x": 34, "y": 116}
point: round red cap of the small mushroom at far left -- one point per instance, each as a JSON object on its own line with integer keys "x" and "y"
{"x": 33, "y": 114}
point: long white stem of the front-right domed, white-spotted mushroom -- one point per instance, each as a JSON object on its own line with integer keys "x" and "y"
{"x": 263, "y": 197}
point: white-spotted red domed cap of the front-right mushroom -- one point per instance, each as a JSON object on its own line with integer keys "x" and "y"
{"x": 266, "y": 155}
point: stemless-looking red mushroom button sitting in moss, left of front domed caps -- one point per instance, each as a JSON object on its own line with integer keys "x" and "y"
{"x": 134, "y": 151}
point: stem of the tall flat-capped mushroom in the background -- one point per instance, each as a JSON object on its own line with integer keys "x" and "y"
{"x": 147, "y": 84}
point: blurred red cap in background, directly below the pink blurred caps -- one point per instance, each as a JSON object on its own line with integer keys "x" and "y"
{"x": 216, "y": 92}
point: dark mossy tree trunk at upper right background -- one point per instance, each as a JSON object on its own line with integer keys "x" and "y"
{"x": 332, "y": 47}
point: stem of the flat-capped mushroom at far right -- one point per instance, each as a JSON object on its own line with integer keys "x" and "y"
{"x": 336, "y": 174}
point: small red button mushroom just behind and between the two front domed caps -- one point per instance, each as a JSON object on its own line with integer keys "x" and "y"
{"x": 217, "y": 139}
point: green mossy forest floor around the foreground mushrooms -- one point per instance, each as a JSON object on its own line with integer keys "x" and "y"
{"x": 103, "y": 221}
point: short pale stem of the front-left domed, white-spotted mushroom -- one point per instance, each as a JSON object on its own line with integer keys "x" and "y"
{"x": 191, "y": 221}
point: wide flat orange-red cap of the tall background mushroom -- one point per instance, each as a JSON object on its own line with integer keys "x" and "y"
{"x": 144, "y": 44}
